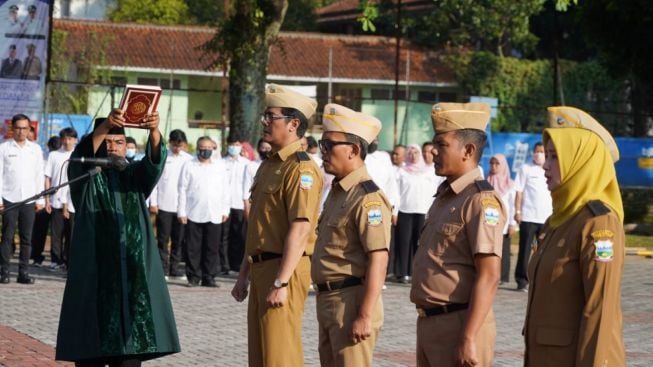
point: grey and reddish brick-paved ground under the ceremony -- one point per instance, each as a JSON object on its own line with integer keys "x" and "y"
{"x": 212, "y": 326}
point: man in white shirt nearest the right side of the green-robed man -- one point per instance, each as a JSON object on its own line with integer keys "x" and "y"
{"x": 163, "y": 203}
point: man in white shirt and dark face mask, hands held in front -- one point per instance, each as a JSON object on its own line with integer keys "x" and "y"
{"x": 204, "y": 201}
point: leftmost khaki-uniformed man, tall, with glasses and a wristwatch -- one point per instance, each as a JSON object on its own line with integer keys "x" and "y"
{"x": 285, "y": 196}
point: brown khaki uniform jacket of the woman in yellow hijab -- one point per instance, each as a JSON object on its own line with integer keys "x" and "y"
{"x": 574, "y": 302}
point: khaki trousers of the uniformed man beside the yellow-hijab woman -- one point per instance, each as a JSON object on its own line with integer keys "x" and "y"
{"x": 438, "y": 337}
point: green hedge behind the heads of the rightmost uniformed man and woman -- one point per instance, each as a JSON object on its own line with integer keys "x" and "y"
{"x": 525, "y": 88}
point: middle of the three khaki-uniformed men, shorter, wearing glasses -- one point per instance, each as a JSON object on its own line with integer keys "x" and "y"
{"x": 351, "y": 253}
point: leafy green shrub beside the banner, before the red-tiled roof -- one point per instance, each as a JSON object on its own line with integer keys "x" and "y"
{"x": 85, "y": 67}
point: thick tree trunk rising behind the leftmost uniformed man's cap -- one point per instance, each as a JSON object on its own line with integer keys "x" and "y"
{"x": 242, "y": 42}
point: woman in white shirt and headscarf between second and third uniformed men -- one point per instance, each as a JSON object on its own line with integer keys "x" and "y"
{"x": 417, "y": 185}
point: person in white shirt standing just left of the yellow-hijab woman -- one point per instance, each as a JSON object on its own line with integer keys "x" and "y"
{"x": 532, "y": 208}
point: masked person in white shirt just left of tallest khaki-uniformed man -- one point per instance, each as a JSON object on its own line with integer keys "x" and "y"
{"x": 236, "y": 226}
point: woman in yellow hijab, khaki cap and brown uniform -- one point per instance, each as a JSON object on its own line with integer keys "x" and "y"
{"x": 574, "y": 302}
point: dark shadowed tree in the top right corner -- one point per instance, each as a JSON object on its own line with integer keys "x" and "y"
{"x": 622, "y": 30}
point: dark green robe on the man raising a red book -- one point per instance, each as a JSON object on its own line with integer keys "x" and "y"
{"x": 116, "y": 302}
